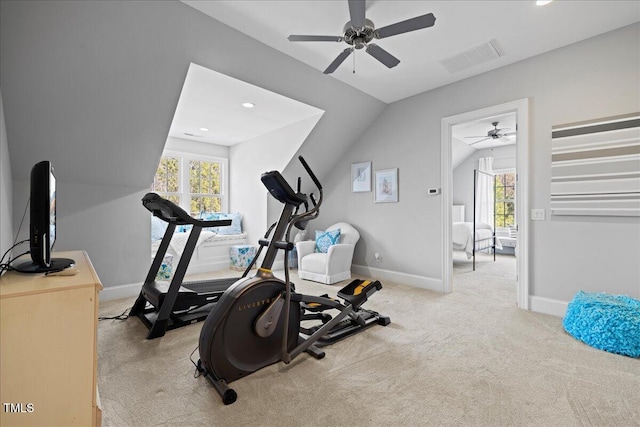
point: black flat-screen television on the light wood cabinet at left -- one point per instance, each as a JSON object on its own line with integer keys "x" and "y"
{"x": 42, "y": 222}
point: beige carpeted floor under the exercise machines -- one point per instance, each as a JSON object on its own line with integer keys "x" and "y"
{"x": 467, "y": 358}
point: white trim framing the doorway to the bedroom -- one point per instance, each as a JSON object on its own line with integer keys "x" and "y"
{"x": 521, "y": 108}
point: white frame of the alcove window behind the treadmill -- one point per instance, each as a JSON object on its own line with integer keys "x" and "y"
{"x": 183, "y": 179}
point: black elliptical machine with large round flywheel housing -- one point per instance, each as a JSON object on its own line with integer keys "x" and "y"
{"x": 256, "y": 322}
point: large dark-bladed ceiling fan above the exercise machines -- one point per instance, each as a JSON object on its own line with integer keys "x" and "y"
{"x": 359, "y": 32}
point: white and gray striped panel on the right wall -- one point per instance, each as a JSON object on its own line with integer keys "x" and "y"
{"x": 595, "y": 167}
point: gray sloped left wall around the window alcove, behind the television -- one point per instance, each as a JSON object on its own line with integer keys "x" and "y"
{"x": 92, "y": 86}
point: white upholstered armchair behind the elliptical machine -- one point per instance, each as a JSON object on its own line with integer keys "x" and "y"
{"x": 333, "y": 266}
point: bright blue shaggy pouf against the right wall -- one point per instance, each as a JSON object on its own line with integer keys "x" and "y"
{"x": 608, "y": 322}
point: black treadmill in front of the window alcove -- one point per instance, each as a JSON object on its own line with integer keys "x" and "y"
{"x": 164, "y": 305}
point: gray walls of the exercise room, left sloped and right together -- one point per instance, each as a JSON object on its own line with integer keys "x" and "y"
{"x": 92, "y": 86}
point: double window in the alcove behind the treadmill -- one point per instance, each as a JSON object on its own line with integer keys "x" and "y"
{"x": 195, "y": 183}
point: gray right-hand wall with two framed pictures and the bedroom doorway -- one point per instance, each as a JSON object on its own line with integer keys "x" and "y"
{"x": 595, "y": 78}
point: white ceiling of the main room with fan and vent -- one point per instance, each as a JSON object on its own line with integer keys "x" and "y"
{"x": 519, "y": 28}
